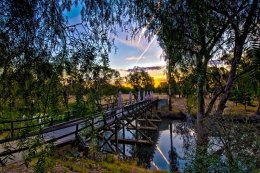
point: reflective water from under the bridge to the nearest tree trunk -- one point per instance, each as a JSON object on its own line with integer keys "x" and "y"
{"x": 174, "y": 141}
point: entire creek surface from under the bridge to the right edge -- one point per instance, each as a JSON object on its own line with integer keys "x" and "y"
{"x": 231, "y": 147}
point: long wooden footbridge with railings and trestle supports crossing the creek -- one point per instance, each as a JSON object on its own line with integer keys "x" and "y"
{"x": 134, "y": 117}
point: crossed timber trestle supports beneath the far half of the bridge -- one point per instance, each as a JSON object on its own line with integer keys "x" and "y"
{"x": 129, "y": 123}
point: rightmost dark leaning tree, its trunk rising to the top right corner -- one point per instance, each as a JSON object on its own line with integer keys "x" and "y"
{"x": 243, "y": 17}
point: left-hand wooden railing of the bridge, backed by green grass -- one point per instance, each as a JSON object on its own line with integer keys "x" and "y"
{"x": 19, "y": 128}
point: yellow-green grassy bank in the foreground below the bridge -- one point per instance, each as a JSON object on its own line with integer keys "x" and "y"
{"x": 67, "y": 160}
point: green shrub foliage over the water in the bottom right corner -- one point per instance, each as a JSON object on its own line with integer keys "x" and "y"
{"x": 234, "y": 148}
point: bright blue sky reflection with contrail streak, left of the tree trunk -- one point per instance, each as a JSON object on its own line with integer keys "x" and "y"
{"x": 174, "y": 144}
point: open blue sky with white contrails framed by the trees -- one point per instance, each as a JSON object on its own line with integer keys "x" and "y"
{"x": 130, "y": 53}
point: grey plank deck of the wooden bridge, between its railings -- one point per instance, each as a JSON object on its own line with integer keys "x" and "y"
{"x": 67, "y": 131}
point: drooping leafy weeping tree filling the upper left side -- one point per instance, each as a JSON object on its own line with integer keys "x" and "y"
{"x": 44, "y": 60}
